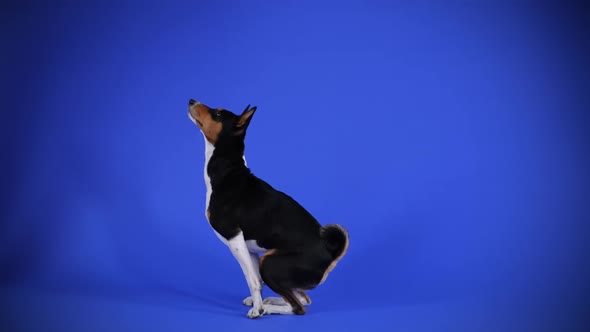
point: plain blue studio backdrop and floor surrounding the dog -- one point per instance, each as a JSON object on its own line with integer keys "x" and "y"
{"x": 450, "y": 138}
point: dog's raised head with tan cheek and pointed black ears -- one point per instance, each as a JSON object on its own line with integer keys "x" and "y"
{"x": 218, "y": 124}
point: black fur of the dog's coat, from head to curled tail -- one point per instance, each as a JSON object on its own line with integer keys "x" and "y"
{"x": 300, "y": 249}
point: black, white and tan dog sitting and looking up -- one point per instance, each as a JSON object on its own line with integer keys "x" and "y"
{"x": 252, "y": 218}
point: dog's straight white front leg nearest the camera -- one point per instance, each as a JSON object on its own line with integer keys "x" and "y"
{"x": 240, "y": 251}
